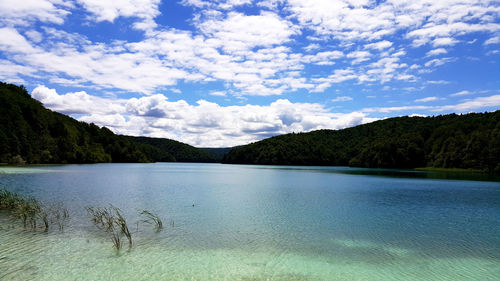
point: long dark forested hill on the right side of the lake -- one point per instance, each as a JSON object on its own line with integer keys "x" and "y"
{"x": 470, "y": 141}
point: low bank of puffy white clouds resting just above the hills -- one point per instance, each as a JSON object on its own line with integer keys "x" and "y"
{"x": 202, "y": 124}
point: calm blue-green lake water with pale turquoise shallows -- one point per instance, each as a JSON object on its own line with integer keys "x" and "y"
{"x": 258, "y": 223}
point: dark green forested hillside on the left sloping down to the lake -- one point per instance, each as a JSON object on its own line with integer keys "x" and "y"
{"x": 30, "y": 133}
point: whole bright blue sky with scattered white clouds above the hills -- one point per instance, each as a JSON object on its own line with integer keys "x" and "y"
{"x": 230, "y": 72}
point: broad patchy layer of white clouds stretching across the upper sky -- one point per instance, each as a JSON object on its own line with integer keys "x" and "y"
{"x": 258, "y": 53}
